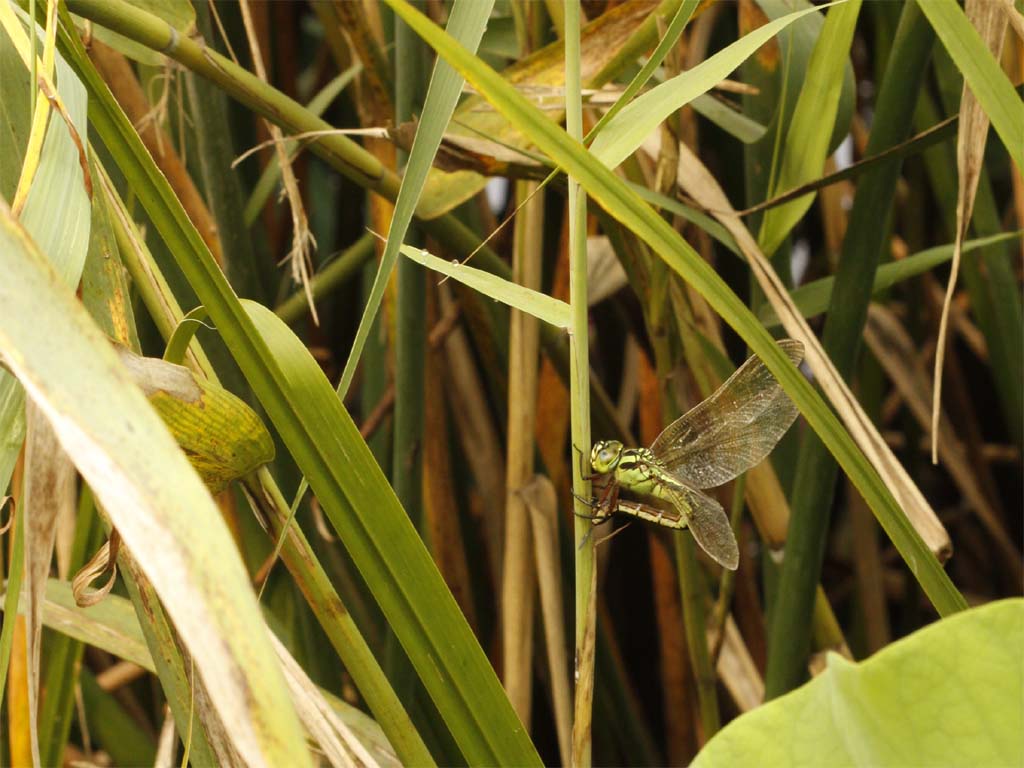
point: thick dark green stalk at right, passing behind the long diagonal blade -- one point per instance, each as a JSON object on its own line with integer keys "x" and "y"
{"x": 817, "y": 471}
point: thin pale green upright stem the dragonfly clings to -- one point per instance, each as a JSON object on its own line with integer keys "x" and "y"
{"x": 586, "y": 576}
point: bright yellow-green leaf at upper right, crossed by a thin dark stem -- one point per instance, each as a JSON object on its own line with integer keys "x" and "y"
{"x": 812, "y": 126}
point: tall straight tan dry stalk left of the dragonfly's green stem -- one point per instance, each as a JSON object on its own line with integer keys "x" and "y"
{"x": 520, "y": 577}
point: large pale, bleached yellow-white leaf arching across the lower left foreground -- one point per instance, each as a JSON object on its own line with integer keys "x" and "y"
{"x": 151, "y": 493}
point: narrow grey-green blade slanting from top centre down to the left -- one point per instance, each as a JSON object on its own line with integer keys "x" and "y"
{"x": 468, "y": 20}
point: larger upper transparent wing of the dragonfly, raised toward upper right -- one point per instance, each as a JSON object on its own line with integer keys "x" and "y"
{"x": 733, "y": 431}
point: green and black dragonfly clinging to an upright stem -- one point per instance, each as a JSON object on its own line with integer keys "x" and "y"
{"x": 718, "y": 440}
